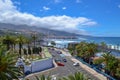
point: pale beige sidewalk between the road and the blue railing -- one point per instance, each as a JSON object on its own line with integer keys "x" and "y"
{"x": 92, "y": 71}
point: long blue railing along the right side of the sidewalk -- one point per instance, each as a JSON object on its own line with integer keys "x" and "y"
{"x": 93, "y": 67}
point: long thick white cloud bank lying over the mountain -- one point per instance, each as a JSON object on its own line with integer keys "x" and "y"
{"x": 10, "y": 14}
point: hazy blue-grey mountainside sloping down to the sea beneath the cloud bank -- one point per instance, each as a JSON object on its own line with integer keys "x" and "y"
{"x": 27, "y": 30}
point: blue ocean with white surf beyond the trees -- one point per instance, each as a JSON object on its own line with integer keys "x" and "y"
{"x": 113, "y": 41}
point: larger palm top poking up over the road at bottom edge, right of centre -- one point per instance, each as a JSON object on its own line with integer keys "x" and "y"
{"x": 76, "y": 76}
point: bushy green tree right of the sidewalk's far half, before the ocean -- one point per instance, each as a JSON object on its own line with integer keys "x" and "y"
{"x": 86, "y": 50}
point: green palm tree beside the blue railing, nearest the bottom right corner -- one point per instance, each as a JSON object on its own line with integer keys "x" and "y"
{"x": 110, "y": 62}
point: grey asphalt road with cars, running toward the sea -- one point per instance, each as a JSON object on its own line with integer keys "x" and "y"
{"x": 68, "y": 69}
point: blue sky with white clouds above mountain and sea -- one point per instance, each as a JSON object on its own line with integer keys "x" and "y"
{"x": 86, "y": 17}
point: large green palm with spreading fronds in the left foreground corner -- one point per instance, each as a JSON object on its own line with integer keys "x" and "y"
{"x": 8, "y": 71}
